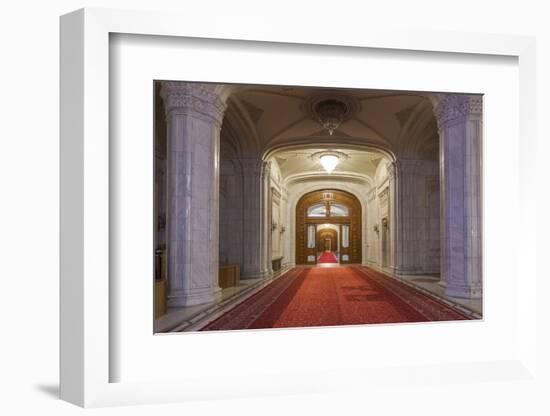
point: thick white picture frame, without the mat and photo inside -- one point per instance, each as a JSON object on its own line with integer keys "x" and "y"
{"x": 87, "y": 355}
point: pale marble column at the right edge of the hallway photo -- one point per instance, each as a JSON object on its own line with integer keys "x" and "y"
{"x": 459, "y": 118}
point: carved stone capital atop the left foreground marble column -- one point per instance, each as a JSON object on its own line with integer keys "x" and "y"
{"x": 195, "y": 99}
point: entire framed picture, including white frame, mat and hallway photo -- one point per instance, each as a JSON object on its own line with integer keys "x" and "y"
{"x": 285, "y": 213}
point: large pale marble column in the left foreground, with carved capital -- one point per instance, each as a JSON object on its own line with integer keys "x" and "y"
{"x": 194, "y": 116}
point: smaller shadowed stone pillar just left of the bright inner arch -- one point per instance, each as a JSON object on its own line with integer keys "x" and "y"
{"x": 254, "y": 218}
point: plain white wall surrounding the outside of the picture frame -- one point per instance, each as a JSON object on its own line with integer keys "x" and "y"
{"x": 29, "y": 172}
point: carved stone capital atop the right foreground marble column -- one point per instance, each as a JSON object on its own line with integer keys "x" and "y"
{"x": 452, "y": 108}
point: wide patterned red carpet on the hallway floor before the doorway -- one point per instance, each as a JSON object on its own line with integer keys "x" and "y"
{"x": 333, "y": 296}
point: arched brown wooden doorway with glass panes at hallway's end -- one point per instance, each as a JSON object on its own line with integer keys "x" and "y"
{"x": 320, "y": 211}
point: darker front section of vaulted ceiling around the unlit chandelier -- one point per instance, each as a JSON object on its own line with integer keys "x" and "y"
{"x": 260, "y": 119}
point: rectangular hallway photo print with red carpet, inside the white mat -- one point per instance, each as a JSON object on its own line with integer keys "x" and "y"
{"x": 282, "y": 207}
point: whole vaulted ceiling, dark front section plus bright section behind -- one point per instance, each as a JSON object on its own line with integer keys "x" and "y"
{"x": 279, "y": 123}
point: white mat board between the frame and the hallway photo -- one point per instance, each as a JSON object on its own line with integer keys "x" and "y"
{"x": 139, "y": 60}
